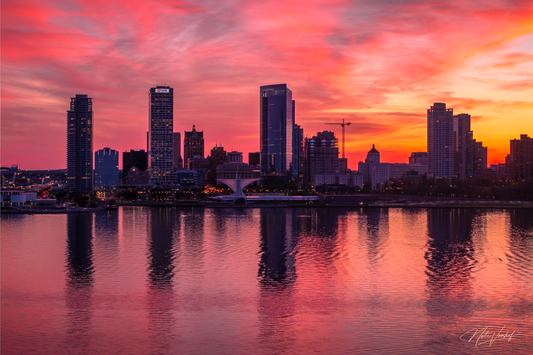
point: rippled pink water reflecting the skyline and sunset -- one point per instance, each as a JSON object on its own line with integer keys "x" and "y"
{"x": 146, "y": 280}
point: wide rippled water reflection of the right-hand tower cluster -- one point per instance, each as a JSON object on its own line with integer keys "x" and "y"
{"x": 450, "y": 263}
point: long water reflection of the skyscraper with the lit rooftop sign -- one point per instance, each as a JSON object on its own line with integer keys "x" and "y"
{"x": 164, "y": 222}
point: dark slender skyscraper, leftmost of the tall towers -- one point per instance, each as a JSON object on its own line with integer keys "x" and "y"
{"x": 80, "y": 145}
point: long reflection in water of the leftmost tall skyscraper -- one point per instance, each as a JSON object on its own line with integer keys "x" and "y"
{"x": 79, "y": 281}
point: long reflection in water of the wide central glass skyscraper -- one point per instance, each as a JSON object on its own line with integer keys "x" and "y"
{"x": 276, "y": 278}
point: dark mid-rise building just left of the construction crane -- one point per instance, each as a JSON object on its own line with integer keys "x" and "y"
{"x": 321, "y": 155}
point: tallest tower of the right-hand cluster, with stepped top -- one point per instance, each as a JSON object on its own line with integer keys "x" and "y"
{"x": 441, "y": 143}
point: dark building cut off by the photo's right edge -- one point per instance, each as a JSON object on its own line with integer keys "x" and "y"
{"x": 520, "y": 162}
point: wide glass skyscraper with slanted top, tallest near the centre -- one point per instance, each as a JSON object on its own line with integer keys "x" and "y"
{"x": 276, "y": 130}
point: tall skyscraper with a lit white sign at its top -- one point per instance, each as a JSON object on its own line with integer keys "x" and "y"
{"x": 161, "y": 134}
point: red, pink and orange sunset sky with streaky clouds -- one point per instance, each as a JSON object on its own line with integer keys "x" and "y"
{"x": 379, "y": 64}
